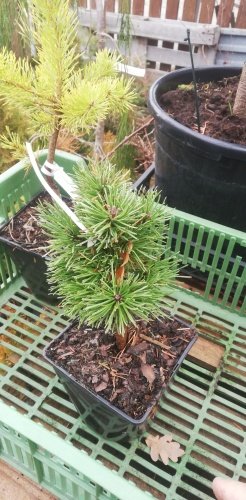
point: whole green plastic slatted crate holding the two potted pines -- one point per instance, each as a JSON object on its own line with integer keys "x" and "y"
{"x": 204, "y": 408}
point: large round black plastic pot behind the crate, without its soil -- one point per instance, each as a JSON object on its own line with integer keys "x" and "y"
{"x": 196, "y": 173}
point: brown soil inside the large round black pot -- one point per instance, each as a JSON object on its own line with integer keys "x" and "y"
{"x": 215, "y": 104}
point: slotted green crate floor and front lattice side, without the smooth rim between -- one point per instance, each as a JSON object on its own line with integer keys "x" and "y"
{"x": 203, "y": 409}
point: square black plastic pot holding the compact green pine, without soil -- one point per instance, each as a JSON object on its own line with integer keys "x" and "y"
{"x": 99, "y": 414}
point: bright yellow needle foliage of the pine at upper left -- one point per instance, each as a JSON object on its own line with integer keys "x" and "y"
{"x": 56, "y": 93}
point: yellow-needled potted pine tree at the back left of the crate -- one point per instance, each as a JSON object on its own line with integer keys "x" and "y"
{"x": 57, "y": 94}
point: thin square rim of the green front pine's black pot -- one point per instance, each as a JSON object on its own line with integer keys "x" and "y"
{"x": 107, "y": 403}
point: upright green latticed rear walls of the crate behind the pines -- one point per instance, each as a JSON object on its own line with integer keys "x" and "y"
{"x": 216, "y": 252}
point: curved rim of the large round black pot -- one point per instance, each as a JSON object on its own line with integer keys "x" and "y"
{"x": 160, "y": 113}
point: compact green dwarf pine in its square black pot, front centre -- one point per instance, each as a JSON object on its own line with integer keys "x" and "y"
{"x": 113, "y": 278}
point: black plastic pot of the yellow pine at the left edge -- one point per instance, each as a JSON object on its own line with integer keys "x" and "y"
{"x": 31, "y": 265}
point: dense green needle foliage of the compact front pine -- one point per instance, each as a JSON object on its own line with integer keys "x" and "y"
{"x": 115, "y": 274}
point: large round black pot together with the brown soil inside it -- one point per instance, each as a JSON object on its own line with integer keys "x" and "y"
{"x": 196, "y": 171}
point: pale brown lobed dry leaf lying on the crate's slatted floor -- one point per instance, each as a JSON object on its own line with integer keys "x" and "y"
{"x": 164, "y": 448}
